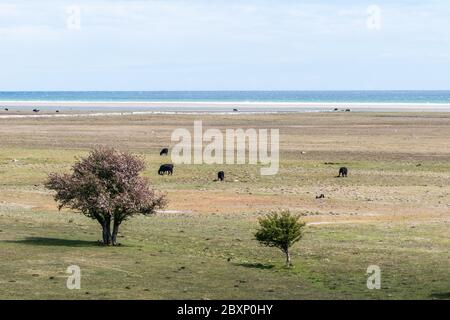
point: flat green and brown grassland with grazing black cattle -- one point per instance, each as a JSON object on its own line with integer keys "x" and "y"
{"x": 393, "y": 211}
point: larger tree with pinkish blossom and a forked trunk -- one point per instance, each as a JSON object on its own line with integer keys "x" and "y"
{"x": 106, "y": 186}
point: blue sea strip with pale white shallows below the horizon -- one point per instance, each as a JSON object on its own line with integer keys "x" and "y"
{"x": 211, "y": 101}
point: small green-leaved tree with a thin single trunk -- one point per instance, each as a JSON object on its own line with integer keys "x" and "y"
{"x": 280, "y": 230}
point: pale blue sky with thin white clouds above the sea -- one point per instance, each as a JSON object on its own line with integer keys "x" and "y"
{"x": 224, "y": 45}
